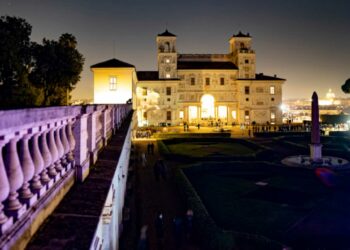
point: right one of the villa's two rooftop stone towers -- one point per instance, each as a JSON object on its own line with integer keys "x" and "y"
{"x": 243, "y": 55}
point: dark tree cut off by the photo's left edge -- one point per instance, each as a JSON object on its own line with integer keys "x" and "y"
{"x": 15, "y": 64}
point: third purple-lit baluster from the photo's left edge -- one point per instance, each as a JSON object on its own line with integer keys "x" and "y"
{"x": 27, "y": 169}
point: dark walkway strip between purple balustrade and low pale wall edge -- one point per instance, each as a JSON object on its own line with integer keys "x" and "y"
{"x": 73, "y": 223}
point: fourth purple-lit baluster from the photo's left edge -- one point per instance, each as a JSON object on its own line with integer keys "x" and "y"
{"x": 38, "y": 161}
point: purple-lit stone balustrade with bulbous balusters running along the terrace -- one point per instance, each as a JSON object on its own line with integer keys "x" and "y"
{"x": 43, "y": 152}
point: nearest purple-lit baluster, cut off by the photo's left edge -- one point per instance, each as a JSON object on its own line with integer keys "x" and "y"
{"x": 5, "y": 222}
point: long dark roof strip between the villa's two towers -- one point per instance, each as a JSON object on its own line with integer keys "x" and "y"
{"x": 205, "y": 65}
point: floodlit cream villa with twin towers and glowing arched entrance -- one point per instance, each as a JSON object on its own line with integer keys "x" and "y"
{"x": 200, "y": 88}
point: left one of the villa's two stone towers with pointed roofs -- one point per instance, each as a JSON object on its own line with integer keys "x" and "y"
{"x": 167, "y": 55}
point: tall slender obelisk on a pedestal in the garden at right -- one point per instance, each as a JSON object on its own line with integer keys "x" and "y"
{"x": 315, "y": 146}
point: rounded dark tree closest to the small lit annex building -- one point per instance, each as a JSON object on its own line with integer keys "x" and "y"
{"x": 57, "y": 68}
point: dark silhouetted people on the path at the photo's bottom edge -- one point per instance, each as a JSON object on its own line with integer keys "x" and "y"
{"x": 182, "y": 227}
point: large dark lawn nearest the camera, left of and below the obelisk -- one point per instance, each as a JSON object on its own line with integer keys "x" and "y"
{"x": 236, "y": 202}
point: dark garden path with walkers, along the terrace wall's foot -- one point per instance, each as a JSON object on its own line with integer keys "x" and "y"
{"x": 148, "y": 197}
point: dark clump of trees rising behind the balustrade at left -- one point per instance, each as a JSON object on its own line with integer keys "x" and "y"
{"x": 33, "y": 74}
